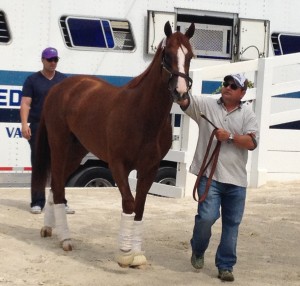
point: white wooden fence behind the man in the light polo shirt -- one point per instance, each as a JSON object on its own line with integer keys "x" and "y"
{"x": 277, "y": 157}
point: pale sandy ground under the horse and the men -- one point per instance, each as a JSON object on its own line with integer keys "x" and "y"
{"x": 268, "y": 246}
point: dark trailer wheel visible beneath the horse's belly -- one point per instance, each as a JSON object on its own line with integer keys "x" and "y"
{"x": 92, "y": 177}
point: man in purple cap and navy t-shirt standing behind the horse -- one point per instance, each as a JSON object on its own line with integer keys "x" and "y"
{"x": 34, "y": 91}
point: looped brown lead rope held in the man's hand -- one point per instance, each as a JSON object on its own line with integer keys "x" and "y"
{"x": 214, "y": 159}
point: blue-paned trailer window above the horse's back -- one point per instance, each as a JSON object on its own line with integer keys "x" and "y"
{"x": 96, "y": 33}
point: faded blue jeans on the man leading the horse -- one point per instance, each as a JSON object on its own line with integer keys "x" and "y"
{"x": 231, "y": 200}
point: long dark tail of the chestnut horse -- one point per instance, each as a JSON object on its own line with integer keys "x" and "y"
{"x": 41, "y": 165}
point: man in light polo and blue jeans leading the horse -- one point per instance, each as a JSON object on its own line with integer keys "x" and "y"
{"x": 238, "y": 133}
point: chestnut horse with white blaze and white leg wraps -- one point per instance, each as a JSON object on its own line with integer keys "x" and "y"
{"x": 128, "y": 127}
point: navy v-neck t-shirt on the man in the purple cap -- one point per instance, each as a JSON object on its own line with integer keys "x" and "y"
{"x": 37, "y": 86}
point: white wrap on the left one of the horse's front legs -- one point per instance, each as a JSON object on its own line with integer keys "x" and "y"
{"x": 126, "y": 231}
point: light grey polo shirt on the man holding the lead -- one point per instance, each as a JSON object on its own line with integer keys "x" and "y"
{"x": 231, "y": 166}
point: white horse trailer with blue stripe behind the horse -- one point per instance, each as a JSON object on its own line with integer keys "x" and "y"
{"x": 116, "y": 40}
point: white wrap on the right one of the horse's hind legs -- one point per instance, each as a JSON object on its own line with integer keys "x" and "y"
{"x": 61, "y": 223}
